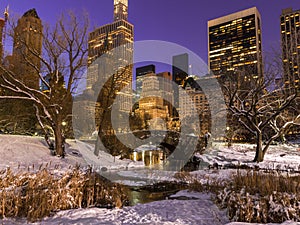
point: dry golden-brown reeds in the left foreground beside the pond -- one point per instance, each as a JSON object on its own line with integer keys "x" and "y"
{"x": 36, "y": 195}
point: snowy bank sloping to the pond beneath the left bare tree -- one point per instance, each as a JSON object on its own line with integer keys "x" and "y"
{"x": 25, "y": 152}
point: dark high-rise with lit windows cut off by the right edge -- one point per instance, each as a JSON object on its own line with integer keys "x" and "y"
{"x": 290, "y": 43}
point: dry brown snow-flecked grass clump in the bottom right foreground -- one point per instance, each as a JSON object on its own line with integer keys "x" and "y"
{"x": 261, "y": 197}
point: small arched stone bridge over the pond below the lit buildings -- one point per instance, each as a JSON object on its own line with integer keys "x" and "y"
{"x": 178, "y": 147}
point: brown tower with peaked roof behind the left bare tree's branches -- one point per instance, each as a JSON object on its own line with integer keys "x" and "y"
{"x": 28, "y": 39}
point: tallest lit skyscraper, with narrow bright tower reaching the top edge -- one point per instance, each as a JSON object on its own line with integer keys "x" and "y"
{"x": 110, "y": 57}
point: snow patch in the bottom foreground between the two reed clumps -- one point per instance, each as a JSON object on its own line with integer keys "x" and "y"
{"x": 199, "y": 210}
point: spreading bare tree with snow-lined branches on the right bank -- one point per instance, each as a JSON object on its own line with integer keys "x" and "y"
{"x": 258, "y": 109}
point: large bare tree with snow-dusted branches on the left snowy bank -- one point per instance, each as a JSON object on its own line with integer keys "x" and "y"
{"x": 63, "y": 61}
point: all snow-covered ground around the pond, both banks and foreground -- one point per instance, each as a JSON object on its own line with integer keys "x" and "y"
{"x": 19, "y": 153}
